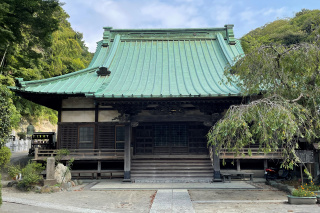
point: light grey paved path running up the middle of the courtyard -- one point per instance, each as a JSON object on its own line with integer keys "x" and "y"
{"x": 172, "y": 200}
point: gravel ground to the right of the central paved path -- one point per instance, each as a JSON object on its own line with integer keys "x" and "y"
{"x": 264, "y": 199}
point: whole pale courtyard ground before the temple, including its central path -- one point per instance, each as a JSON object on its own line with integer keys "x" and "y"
{"x": 116, "y": 196}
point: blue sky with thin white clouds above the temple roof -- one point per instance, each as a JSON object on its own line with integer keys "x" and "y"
{"x": 90, "y": 16}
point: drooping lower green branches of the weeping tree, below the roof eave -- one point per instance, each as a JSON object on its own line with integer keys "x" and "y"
{"x": 274, "y": 124}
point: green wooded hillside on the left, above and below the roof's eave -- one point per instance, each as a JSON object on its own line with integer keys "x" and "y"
{"x": 36, "y": 42}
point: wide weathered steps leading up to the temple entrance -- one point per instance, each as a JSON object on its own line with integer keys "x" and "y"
{"x": 178, "y": 169}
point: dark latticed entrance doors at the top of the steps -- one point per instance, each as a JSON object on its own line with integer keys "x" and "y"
{"x": 170, "y": 138}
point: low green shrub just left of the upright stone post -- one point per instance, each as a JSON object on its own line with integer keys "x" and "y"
{"x": 30, "y": 175}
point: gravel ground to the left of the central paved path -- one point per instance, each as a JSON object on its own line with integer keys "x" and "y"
{"x": 82, "y": 200}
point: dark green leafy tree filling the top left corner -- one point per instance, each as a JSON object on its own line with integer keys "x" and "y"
{"x": 26, "y": 27}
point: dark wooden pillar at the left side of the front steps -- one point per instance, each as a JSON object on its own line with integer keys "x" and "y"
{"x": 127, "y": 154}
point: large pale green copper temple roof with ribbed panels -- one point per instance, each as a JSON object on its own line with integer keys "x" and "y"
{"x": 151, "y": 63}
